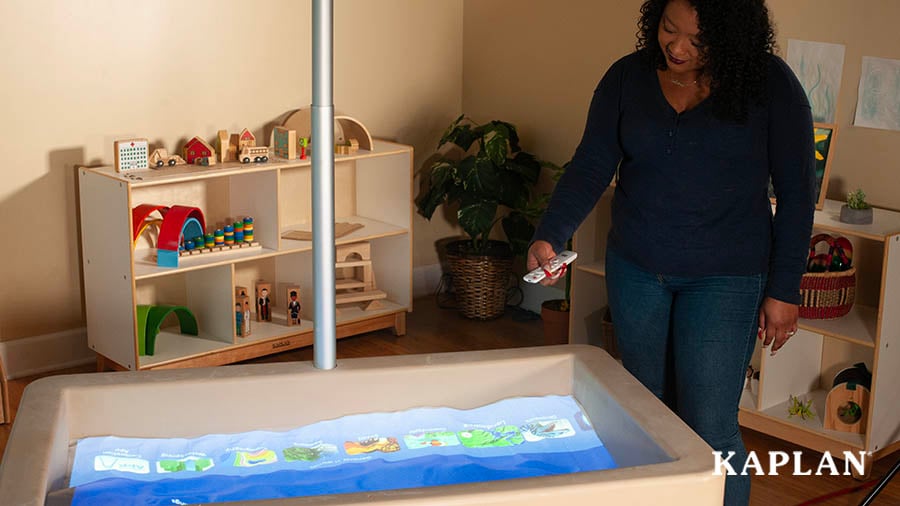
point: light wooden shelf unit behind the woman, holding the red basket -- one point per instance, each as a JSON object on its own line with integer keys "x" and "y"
{"x": 806, "y": 367}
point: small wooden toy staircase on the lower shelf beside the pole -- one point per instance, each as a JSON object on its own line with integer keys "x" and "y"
{"x": 355, "y": 279}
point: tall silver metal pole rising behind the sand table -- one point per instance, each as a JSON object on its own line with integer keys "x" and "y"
{"x": 322, "y": 144}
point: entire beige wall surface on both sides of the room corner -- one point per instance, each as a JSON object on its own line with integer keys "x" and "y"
{"x": 78, "y": 77}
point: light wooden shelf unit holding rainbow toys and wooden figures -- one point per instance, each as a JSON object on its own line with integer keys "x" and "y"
{"x": 373, "y": 188}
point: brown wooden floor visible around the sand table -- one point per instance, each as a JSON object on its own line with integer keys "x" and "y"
{"x": 433, "y": 330}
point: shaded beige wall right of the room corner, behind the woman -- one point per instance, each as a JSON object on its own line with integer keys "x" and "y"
{"x": 536, "y": 63}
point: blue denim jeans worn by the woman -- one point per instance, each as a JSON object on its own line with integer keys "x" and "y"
{"x": 689, "y": 341}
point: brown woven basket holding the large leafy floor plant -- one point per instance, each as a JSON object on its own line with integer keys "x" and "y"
{"x": 480, "y": 281}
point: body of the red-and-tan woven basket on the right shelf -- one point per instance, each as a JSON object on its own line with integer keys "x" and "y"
{"x": 827, "y": 295}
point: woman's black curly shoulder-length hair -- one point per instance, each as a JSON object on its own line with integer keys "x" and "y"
{"x": 737, "y": 38}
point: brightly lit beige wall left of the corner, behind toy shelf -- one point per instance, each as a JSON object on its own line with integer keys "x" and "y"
{"x": 78, "y": 75}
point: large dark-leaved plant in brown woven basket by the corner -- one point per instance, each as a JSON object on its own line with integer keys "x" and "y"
{"x": 493, "y": 183}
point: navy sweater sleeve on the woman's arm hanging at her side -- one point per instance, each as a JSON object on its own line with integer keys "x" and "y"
{"x": 792, "y": 168}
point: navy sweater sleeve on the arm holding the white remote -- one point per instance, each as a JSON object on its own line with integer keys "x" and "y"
{"x": 592, "y": 166}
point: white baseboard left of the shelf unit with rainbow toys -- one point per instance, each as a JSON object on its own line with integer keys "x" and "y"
{"x": 45, "y": 353}
